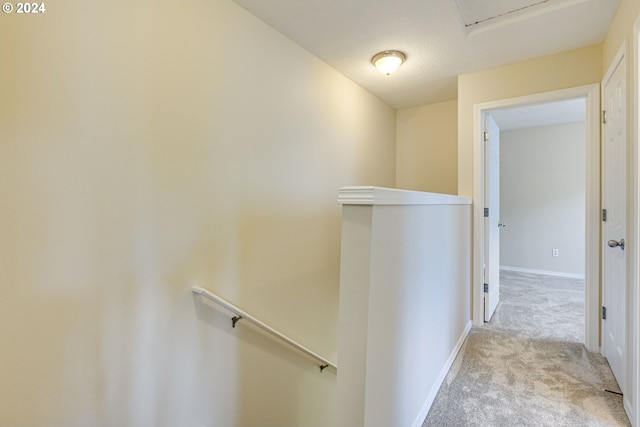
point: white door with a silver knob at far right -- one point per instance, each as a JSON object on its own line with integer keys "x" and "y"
{"x": 614, "y": 228}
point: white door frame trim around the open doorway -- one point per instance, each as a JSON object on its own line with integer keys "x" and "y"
{"x": 591, "y": 93}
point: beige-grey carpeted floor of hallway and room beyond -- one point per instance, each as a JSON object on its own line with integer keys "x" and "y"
{"x": 528, "y": 366}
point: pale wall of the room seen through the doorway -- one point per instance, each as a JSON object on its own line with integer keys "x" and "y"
{"x": 542, "y": 192}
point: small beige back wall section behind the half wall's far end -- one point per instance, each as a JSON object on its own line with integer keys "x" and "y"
{"x": 427, "y": 148}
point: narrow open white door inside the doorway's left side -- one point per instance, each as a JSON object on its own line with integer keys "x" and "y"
{"x": 492, "y": 217}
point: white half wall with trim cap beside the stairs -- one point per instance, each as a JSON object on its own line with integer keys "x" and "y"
{"x": 404, "y": 302}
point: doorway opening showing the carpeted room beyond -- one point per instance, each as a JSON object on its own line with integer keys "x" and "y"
{"x": 539, "y": 227}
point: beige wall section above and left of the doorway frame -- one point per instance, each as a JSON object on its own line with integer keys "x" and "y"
{"x": 569, "y": 69}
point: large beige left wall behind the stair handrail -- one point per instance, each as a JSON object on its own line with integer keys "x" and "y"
{"x": 148, "y": 147}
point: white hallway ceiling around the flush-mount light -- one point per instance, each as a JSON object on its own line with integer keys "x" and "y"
{"x": 442, "y": 38}
